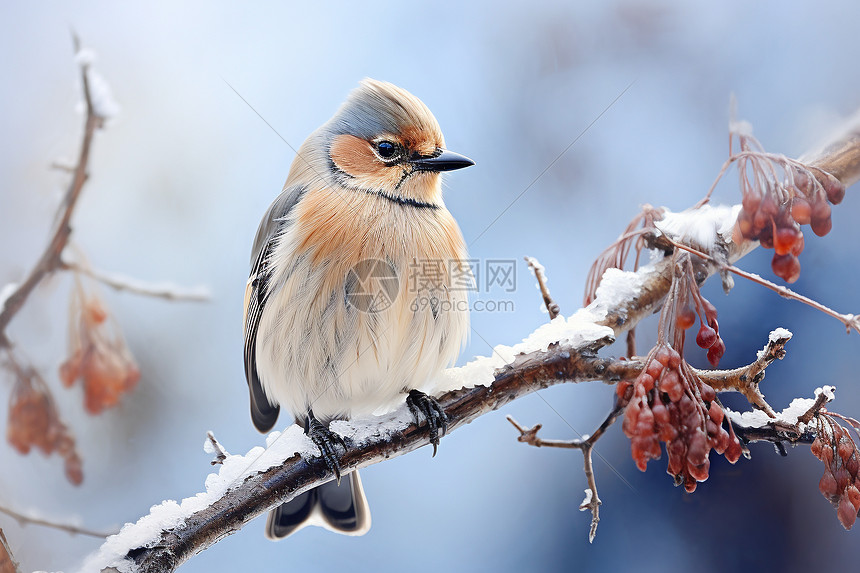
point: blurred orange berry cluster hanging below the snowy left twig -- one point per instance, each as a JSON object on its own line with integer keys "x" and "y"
{"x": 103, "y": 362}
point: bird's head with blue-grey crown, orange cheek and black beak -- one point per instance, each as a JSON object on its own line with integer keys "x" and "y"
{"x": 383, "y": 139}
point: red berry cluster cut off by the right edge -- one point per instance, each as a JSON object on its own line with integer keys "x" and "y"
{"x": 840, "y": 483}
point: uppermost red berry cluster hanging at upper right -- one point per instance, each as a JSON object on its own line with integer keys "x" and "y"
{"x": 773, "y": 211}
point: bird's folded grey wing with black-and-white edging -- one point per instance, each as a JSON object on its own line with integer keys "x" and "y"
{"x": 263, "y": 414}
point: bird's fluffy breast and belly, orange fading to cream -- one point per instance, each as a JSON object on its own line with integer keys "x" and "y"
{"x": 372, "y": 299}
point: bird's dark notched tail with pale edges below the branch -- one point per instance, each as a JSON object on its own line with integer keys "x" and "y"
{"x": 340, "y": 508}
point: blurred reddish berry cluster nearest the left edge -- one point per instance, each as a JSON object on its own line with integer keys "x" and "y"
{"x": 34, "y": 422}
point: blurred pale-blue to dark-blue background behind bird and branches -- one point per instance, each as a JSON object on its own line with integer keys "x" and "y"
{"x": 181, "y": 177}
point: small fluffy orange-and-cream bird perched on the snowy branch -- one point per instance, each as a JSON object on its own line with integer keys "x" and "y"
{"x": 357, "y": 296}
